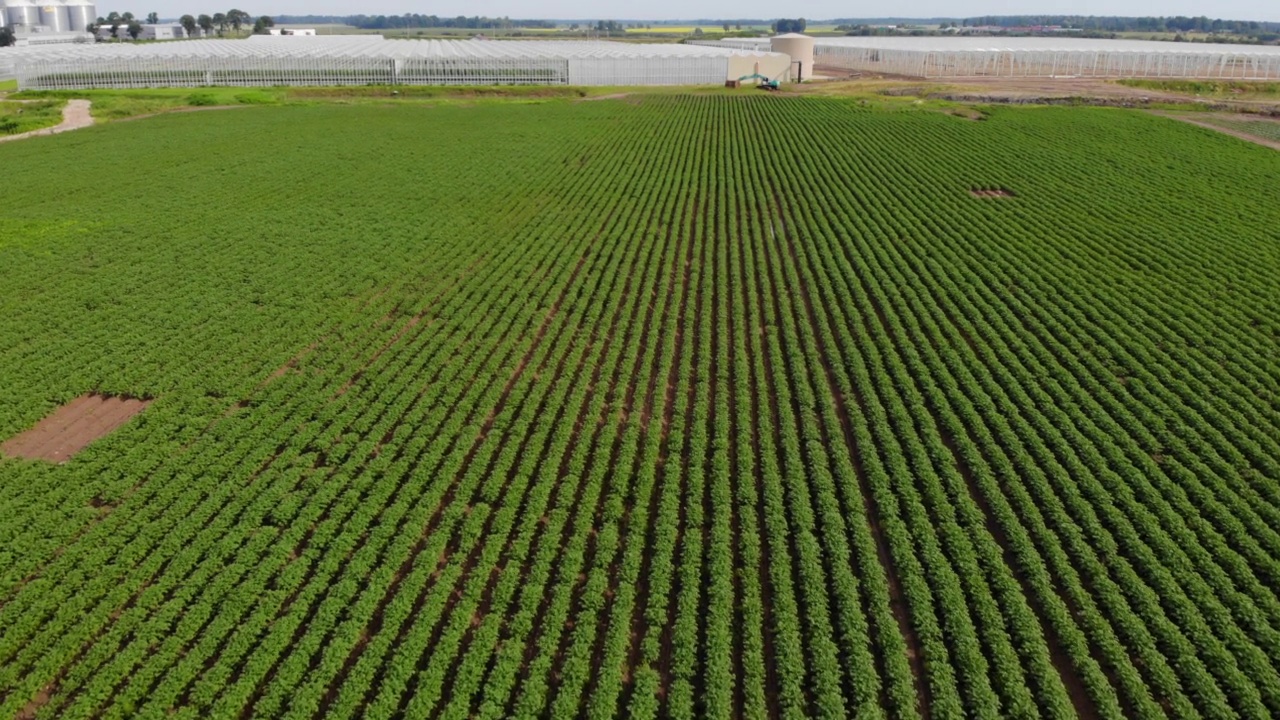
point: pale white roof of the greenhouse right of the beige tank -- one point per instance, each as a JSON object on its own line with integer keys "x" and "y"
{"x": 1035, "y": 44}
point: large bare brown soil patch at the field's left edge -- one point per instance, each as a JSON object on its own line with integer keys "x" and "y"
{"x": 74, "y": 427}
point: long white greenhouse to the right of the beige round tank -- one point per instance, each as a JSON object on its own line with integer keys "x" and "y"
{"x": 1039, "y": 57}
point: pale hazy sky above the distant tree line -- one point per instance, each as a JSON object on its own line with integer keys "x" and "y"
{"x": 665, "y": 10}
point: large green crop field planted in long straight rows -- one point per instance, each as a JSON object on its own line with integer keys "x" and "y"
{"x": 666, "y": 407}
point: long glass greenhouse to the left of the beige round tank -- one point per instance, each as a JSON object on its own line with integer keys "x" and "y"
{"x": 267, "y": 61}
